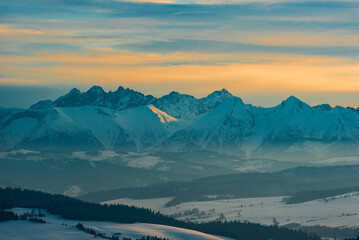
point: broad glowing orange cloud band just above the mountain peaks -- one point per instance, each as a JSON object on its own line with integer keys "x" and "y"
{"x": 261, "y": 73}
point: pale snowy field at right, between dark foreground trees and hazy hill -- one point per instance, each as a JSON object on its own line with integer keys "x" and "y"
{"x": 338, "y": 211}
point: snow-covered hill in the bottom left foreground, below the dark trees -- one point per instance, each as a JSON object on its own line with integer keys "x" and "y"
{"x": 64, "y": 229}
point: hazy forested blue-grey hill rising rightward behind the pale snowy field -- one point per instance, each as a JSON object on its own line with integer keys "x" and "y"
{"x": 241, "y": 185}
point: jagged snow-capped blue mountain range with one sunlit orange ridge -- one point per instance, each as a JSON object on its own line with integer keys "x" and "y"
{"x": 126, "y": 120}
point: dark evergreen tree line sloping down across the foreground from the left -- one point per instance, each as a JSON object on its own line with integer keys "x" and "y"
{"x": 75, "y": 209}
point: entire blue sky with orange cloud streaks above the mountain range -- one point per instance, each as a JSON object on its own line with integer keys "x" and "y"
{"x": 259, "y": 50}
